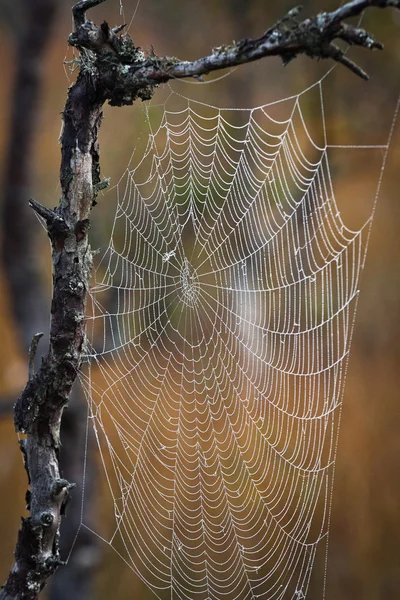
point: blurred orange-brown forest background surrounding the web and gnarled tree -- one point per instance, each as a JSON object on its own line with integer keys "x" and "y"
{"x": 364, "y": 553}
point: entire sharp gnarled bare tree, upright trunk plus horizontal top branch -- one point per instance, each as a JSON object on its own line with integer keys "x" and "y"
{"x": 112, "y": 69}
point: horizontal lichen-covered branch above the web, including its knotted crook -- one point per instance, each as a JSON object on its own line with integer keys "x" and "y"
{"x": 126, "y": 73}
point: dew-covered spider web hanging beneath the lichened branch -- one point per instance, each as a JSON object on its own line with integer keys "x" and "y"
{"x": 219, "y": 333}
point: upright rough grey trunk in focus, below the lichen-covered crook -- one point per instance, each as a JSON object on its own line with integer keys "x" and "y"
{"x": 39, "y": 409}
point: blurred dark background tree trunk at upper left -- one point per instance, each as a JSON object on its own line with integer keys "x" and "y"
{"x": 29, "y": 300}
